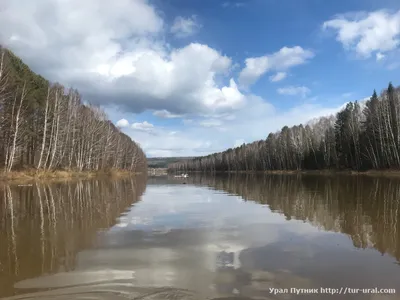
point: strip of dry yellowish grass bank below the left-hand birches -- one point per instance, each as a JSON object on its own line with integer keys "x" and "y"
{"x": 32, "y": 175}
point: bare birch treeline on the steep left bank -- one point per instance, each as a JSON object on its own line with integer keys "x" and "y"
{"x": 46, "y": 126}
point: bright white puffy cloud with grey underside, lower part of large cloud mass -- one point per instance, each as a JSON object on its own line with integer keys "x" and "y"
{"x": 184, "y": 80}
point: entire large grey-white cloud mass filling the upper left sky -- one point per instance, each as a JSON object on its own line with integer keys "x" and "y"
{"x": 120, "y": 56}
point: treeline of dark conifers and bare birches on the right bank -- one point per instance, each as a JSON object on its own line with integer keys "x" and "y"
{"x": 362, "y": 136}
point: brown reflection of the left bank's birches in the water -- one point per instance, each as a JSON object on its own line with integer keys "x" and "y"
{"x": 44, "y": 226}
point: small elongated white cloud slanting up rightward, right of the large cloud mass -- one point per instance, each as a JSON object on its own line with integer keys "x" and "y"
{"x": 282, "y": 60}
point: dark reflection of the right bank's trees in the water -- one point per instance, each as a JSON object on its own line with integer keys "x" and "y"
{"x": 365, "y": 208}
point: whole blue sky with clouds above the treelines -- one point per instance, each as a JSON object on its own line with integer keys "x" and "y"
{"x": 194, "y": 77}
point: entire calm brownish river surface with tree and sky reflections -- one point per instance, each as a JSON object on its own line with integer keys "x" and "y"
{"x": 202, "y": 237}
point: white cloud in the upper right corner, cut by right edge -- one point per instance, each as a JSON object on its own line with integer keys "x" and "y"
{"x": 365, "y": 34}
